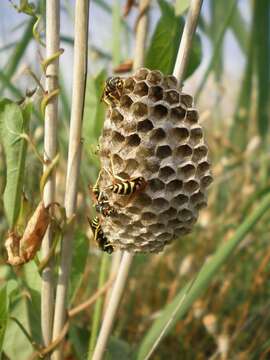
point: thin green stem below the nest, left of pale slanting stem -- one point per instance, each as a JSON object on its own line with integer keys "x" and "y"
{"x": 98, "y": 306}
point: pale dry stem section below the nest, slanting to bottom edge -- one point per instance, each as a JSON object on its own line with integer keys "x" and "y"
{"x": 112, "y": 307}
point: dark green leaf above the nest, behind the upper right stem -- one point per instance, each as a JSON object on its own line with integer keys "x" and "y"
{"x": 165, "y": 41}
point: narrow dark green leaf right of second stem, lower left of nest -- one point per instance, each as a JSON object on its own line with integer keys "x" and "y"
{"x": 79, "y": 258}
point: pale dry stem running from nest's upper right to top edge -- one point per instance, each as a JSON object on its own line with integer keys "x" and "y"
{"x": 186, "y": 40}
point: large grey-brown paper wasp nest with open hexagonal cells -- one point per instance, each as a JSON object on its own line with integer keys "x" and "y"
{"x": 153, "y": 132}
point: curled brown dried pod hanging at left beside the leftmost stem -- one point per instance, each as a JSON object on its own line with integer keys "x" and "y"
{"x": 22, "y": 250}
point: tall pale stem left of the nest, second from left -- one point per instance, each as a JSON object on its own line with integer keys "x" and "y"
{"x": 74, "y": 157}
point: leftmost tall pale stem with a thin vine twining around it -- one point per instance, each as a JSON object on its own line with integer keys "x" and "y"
{"x": 50, "y": 149}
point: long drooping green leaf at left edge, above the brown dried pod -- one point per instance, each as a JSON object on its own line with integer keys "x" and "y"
{"x": 14, "y": 121}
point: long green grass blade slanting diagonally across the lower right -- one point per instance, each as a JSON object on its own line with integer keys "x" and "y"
{"x": 182, "y": 303}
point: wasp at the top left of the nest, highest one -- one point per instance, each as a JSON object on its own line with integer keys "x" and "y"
{"x": 112, "y": 91}
